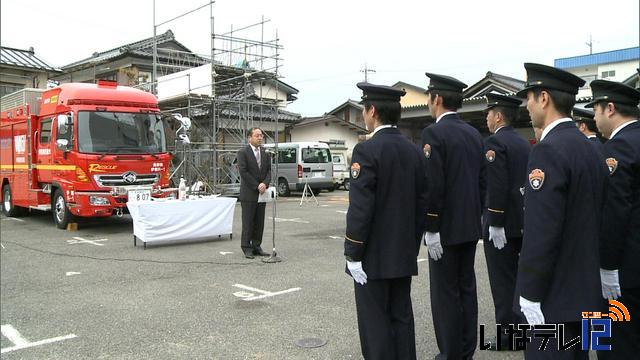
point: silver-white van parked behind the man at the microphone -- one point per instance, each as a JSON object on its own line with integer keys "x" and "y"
{"x": 300, "y": 163}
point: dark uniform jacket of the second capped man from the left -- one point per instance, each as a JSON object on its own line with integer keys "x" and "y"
{"x": 455, "y": 180}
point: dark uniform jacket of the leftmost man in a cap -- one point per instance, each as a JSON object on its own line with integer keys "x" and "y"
{"x": 387, "y": 203}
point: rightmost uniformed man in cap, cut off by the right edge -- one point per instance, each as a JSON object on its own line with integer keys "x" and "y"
{"x": 616, "y": 113}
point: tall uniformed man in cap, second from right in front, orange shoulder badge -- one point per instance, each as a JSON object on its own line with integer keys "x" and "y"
{"x": 558, "y": 272}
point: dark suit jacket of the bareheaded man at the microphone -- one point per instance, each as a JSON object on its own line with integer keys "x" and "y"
{"x": 250, "y": 175}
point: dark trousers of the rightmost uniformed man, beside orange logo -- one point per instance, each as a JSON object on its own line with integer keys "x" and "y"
{"x": 625, "y": 335}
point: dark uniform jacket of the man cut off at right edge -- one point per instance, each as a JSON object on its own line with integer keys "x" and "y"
{"x": 620, "y": 236}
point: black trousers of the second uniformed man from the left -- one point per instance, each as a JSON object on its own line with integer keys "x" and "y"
{"x": 454, "y": 301}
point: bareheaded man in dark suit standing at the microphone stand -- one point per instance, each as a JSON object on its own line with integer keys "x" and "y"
{"x": 254, "y": 166}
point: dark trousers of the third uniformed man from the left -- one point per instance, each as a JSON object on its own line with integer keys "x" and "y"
{"x": 502, "y": 266}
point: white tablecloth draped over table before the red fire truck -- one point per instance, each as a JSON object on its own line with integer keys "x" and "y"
{"x": 190, "y": 219}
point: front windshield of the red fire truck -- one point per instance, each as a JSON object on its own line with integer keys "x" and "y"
{"x": 120, "y": 133}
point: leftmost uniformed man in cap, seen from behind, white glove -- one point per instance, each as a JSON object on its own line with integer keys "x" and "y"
{"x": 387, "y": 203}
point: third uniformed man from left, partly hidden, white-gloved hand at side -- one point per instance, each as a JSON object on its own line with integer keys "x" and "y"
{"x": 506, "y": 155}
